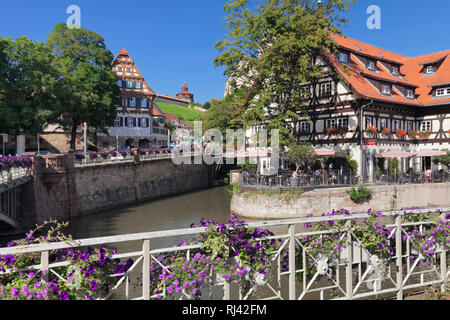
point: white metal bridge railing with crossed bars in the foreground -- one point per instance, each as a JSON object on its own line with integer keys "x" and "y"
{"x": 354, "y": 274}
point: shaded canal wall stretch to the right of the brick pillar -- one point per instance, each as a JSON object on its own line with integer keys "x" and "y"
{"x": 110, "y": 185}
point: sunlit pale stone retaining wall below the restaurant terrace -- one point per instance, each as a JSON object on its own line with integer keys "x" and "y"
{"x": 384, "y": 198}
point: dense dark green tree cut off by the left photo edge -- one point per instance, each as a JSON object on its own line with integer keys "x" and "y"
{"x": 30, "y": 86}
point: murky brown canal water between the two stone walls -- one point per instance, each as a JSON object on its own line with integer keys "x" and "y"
{"x": 170, "y": 213}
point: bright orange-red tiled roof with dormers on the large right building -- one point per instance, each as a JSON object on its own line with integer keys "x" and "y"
{"x": 358, "y": 76}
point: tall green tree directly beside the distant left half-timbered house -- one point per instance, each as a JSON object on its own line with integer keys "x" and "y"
{"x": 91, "y": 92}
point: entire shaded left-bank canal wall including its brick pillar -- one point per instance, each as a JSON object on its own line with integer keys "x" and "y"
{"x": 59, "y": 190}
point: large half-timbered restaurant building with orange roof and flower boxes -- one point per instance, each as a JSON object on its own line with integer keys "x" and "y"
{"x": 396, "y": 102}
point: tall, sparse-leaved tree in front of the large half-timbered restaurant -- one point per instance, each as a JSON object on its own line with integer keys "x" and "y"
{"x": 271, "y": 50}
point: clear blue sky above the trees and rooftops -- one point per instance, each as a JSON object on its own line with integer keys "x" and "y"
{"x": 172, "y": 41}
